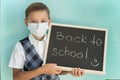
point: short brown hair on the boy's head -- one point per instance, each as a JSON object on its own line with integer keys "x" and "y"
{"x": 36, "y": 7}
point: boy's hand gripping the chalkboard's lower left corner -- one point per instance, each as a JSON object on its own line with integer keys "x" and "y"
{"x": 51, "y": 69}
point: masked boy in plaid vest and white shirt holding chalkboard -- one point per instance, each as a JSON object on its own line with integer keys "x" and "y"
{"x": 27, "y": 56}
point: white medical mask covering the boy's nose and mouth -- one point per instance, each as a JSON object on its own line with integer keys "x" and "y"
{"x": 38, "y": 29}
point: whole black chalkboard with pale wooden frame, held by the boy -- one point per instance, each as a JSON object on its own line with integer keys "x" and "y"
{"x": 72, "y": 46}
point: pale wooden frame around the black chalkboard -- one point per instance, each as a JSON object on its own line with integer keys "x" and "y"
{"x": 82, "y": 27}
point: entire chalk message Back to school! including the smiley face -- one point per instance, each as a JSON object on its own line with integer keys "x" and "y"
{"x": 81, "y": 39}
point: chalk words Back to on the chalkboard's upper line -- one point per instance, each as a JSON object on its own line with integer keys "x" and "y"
{"x": 79, "y": 39}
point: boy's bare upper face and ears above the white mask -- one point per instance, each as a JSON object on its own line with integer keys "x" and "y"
{"x": 38, "y": 17}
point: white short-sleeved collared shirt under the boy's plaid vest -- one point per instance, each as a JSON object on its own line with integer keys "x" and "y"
{"x": 18, "y": 55}
